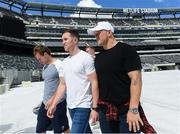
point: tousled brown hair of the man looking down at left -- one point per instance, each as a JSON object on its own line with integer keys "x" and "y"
{"x": 41, "y": 49}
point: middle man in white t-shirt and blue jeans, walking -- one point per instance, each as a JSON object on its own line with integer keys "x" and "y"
{"x": 80, "y": 82}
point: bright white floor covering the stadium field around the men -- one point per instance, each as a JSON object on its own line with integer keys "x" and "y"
{"x": 160, "y": 100}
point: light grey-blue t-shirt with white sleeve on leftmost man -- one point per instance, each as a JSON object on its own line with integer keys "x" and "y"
{"x": 51, "y": 78}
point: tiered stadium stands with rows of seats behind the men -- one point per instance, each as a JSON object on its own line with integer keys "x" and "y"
{"x": 155, "y": 33}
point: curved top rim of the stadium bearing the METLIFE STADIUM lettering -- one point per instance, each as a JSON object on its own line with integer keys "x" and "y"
{"x": 43, "y": 7}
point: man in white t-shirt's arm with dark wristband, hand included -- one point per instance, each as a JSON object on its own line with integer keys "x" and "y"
{"x": 95, "y": 95}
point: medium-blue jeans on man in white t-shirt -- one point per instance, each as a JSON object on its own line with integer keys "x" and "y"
{"x": 80, "y": 120}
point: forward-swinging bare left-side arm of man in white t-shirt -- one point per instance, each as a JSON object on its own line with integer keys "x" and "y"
{"x": 56, "y": 97}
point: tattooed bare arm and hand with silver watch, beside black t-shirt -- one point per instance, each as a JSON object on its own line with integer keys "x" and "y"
{"x": 133, "y": 119}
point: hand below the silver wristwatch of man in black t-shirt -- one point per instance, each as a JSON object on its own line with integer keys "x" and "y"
{"x": 134, "y": 121}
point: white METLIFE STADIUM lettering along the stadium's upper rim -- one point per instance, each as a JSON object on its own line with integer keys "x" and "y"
{"x": 140, "y": 10}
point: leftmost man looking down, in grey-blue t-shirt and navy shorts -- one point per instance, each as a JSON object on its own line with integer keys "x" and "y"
{"x": 51, "y": 70}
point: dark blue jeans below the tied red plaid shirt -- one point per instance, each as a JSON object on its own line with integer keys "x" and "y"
{"x": 119, "y": 126}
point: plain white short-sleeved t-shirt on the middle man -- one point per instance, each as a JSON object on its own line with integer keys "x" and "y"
{"x": 78, "y": 87}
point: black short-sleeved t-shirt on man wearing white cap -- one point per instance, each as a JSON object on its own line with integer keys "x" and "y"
{"x": 112, "y": 67}
